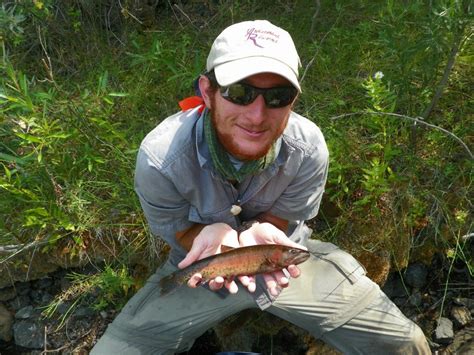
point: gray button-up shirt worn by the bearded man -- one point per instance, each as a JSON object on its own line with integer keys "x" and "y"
{"x": 178, "y": 186}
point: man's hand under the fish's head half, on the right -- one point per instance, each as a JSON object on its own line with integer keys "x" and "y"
{"x": 266, "y": 233}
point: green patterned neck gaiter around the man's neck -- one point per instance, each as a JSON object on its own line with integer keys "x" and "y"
{"x": 221, "y": 160}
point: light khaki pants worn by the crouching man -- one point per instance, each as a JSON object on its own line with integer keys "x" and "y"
{"x": 332, "y": 299}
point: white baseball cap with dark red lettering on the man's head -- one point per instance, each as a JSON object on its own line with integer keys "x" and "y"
{"x": 253, "y": 47}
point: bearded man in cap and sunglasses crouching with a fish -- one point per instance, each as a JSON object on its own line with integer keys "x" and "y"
{"x": 243, "y": 169}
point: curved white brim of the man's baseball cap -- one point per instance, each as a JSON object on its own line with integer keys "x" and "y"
{"x": 233, "y": 71}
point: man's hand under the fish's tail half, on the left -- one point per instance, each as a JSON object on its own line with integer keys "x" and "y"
{"x": 209, "y": 242}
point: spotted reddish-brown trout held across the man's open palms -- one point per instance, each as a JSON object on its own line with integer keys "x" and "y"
{"x": 251, "y": 260}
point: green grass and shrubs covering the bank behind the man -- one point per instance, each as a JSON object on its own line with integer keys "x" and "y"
{"x": 81, "y": 83}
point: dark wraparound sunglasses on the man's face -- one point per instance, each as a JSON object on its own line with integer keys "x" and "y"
{"x": 244, "y": 94}
